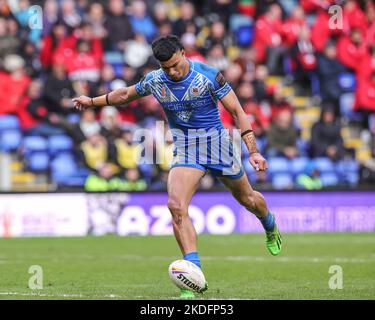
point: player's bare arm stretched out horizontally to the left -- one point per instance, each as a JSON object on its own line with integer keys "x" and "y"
{"x": 113, "y": 98}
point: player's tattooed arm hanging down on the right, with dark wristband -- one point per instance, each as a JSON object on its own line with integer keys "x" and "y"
{"x": 231, "y": 103}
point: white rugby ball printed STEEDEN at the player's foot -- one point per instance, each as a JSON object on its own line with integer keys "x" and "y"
{"x": 186, "y": 275}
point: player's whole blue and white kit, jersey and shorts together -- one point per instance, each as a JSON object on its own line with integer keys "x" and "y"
{"x": 191, "y": 105}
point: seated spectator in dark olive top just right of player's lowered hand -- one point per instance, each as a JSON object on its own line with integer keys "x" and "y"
{"x": 282, "y": 136}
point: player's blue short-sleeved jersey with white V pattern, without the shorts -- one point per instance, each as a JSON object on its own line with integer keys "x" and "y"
{"x": 190, "y": 103}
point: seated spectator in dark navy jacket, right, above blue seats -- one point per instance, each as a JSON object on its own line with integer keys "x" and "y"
{"x": 326, "y": 140}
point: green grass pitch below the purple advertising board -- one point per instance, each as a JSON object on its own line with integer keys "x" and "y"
{"x": 236, "y": 267}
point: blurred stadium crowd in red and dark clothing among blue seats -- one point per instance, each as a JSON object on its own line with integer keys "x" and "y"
{"x": 91, "y": 47}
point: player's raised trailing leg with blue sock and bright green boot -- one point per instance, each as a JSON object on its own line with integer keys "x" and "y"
{"x": 254, "y": 202}
